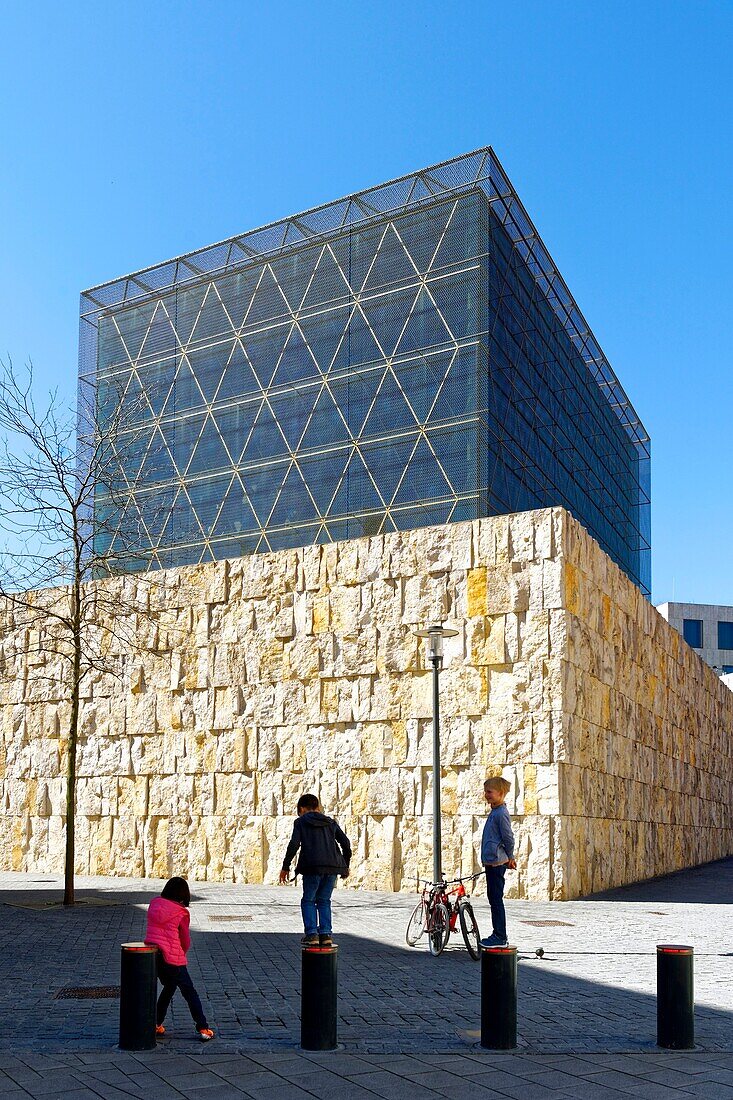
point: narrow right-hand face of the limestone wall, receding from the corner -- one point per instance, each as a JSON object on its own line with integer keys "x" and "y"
{"x": 646, "y": 756}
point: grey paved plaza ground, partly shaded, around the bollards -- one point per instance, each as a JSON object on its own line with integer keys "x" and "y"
{"x": 409, "y": 1025}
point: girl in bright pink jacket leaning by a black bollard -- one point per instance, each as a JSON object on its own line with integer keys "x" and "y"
{"x": 169, "y": 921}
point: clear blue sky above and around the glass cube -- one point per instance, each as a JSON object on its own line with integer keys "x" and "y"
{"x": 134, "y": 133}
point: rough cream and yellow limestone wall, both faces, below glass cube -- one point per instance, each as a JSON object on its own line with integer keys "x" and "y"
{"x": 262, "y": 678}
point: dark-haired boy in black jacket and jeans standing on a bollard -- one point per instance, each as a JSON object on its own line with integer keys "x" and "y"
{"x": 325, "y": 854}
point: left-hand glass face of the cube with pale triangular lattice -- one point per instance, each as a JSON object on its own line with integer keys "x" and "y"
{"x": 309, "y": 399}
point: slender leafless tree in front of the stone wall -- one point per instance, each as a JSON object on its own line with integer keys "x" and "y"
{"x": 67, "y": 479}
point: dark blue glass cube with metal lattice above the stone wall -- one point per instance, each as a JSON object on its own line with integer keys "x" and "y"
{"x": 408, "y": 356}
